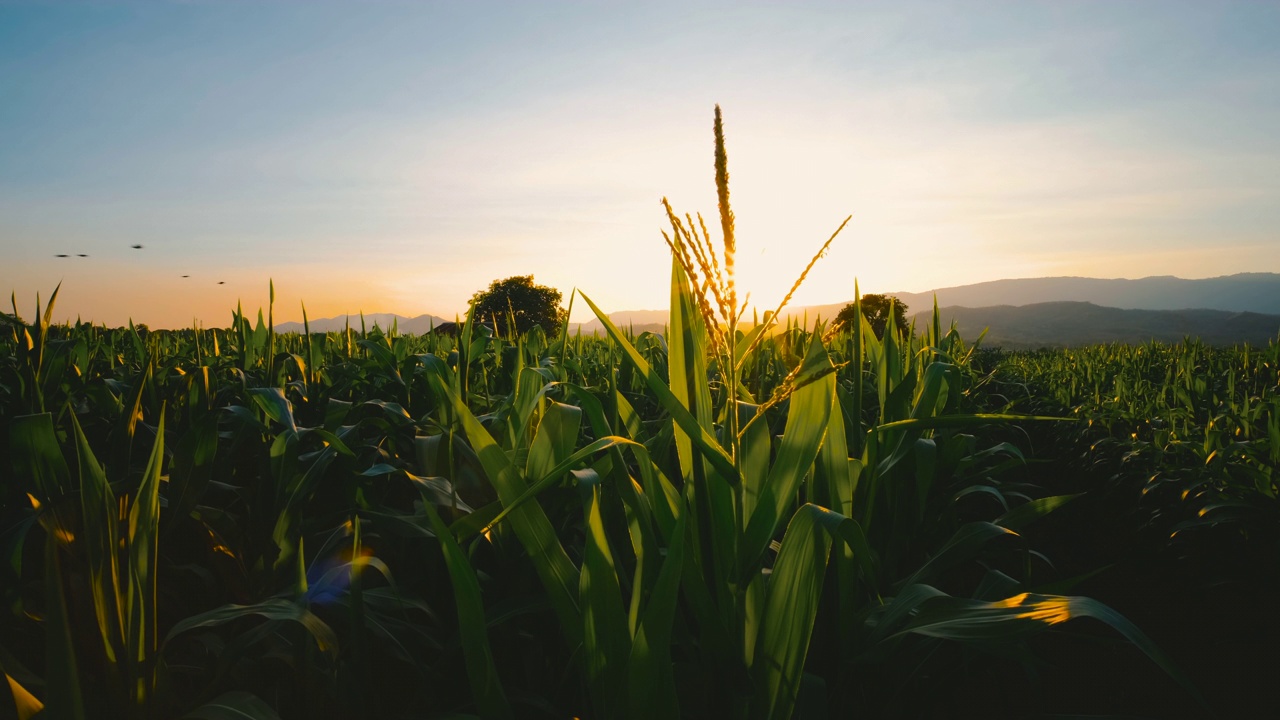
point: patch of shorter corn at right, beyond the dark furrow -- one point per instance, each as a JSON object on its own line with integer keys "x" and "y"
{"x": 1186, "y": 438}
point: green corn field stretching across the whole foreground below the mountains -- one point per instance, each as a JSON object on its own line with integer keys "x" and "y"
{"x": 723, "y": 521}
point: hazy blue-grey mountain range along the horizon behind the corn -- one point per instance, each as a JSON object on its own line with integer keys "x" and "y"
{"x": 1022, "y": 313}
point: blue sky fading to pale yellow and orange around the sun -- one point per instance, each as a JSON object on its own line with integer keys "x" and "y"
{"x": 400, "y": 157}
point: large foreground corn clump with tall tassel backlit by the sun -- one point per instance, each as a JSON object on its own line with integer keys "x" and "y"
{"x": 705, "y": 600}
